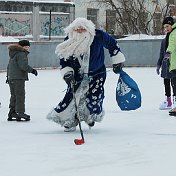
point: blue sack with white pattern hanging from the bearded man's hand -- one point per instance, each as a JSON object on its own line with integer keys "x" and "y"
{"x": 128, "y": 95}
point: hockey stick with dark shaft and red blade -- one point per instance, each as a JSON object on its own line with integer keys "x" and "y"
{"x": 77, "y": 141}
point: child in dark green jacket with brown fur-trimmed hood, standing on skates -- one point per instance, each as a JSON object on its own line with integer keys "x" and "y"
{"x": 17, "y": 74}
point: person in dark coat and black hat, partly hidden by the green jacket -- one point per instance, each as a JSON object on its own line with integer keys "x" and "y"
{"x": 163, "y": 64}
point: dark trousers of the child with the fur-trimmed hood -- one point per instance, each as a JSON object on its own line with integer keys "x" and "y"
{"x": 17, "y": 91}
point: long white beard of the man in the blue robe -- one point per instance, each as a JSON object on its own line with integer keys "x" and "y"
{"x": 76, "y": 45}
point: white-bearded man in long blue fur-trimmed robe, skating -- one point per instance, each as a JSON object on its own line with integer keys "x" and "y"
{"x": 82, "y": 64}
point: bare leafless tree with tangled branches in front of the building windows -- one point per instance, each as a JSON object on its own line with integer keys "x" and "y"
{"x": 133, "y": 16}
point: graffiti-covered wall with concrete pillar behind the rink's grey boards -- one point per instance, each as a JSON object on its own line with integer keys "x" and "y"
{"x": 33, "y": 18}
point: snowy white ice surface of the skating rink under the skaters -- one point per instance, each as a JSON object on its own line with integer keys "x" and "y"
{"x": 132, "y": 143}
